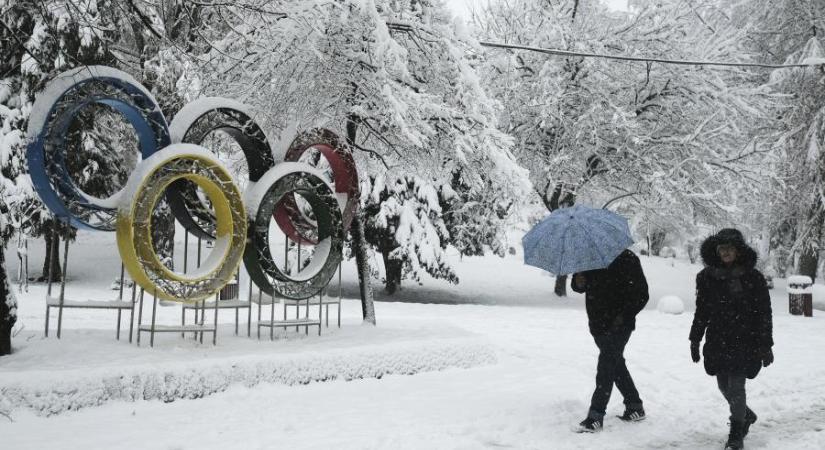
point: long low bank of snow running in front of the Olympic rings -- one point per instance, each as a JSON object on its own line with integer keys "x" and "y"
{"x": 50, "y": 392}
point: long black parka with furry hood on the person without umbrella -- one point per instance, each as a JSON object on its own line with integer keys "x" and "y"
{"x": 733, "y": 309}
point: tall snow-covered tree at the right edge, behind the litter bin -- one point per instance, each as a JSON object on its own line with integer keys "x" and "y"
{"x": 791, "y": 31}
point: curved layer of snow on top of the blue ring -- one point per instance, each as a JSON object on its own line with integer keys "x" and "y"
{"x": 63, "y": 82}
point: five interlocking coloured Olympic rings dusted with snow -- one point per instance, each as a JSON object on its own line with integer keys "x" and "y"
{"x": 174, "y": 164}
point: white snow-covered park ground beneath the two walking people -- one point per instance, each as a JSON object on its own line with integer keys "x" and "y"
{"x": 495, "y": 362}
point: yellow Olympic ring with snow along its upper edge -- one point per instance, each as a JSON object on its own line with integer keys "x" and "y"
{"x": 145, "y": 187}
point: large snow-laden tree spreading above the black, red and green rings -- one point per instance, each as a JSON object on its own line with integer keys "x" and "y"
{"x": 394, "y": 77}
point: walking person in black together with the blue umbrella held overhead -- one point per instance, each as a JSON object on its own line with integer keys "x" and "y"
{"x": 592, "y": 245}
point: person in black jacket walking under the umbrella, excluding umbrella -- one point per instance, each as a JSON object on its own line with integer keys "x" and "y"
{"x": 613, "y": 296}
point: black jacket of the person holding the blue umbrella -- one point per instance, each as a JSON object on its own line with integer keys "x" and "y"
{"x": 614, "y": 295}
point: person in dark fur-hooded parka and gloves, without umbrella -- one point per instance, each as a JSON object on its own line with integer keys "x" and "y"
{"x": 733, "y": 313}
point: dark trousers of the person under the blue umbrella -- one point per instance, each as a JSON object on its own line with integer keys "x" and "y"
{"x": 611, "y": 370}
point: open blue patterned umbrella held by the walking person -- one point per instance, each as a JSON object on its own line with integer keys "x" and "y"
{"x": 576, "y": 239}
